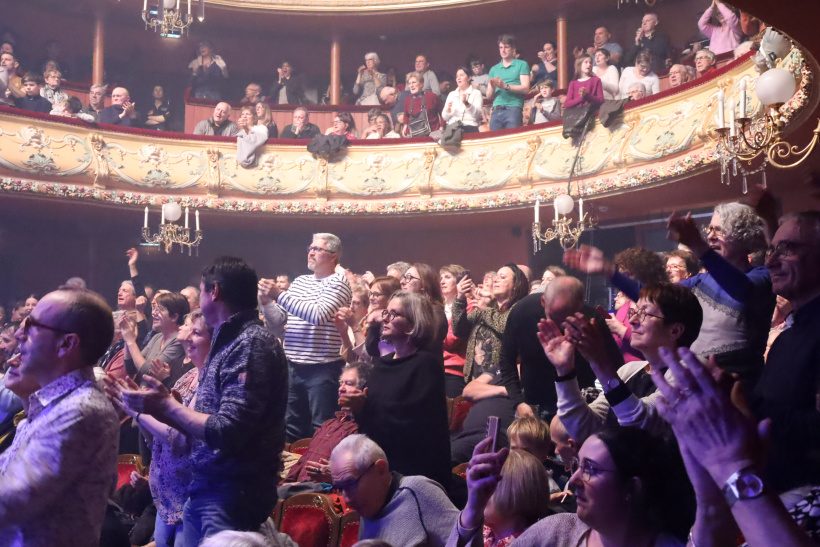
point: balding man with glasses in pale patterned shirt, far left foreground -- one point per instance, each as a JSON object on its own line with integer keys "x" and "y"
{"x": 56, "y": 476}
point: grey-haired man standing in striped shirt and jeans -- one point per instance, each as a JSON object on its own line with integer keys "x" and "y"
{"x": 312, "y": 342}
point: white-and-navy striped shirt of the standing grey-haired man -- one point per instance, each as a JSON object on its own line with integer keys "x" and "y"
{"x": 311, "y": 336}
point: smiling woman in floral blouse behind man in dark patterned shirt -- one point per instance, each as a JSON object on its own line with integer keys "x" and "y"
{"x": 170, "y": 471}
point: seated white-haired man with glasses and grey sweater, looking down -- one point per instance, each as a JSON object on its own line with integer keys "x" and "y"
{"x": 399, "y": 510}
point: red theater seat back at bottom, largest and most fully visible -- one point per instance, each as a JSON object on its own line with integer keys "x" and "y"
{"x": 309, "y": 519}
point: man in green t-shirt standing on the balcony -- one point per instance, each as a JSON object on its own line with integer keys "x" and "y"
{"x": 509, "y": 84}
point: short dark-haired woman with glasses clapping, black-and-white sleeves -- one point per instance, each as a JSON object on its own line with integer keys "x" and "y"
{"x": 666, "y": 316}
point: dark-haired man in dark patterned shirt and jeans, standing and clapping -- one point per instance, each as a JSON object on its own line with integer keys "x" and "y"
{"x": 236, "y": 425}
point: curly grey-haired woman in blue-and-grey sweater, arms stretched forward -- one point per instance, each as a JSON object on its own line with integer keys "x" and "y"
{"x": 736, "y": 297}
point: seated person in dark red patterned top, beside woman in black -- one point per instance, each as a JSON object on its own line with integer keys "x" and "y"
{"x": 314, "y": 465}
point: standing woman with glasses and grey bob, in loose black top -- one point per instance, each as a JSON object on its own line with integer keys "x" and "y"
{"x": 403, "y": 409}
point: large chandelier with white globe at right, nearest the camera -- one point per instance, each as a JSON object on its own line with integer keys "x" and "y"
{"x": 749, "y": 136}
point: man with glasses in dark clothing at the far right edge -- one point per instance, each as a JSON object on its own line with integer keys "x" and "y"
{"x": 789, "y": 387}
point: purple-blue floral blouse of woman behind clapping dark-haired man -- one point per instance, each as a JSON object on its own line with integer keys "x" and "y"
{"x": 170, "y": 460}
